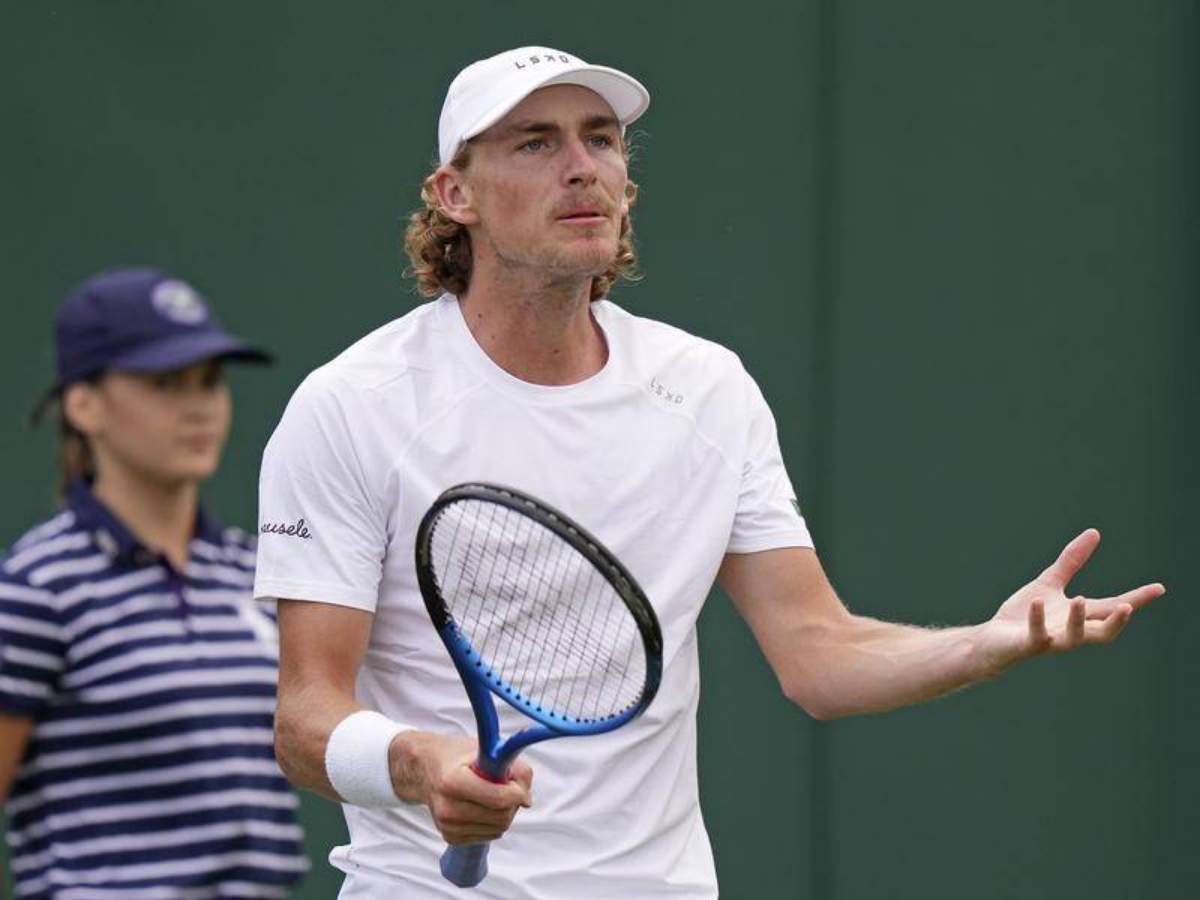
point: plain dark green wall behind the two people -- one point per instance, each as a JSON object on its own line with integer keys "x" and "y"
{"x": 956, "y": 243}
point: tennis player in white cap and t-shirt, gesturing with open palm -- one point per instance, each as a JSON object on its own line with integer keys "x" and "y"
{"x": 520, "y": 371}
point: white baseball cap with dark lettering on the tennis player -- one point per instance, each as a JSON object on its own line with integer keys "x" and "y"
{"x": 485, "y": 92}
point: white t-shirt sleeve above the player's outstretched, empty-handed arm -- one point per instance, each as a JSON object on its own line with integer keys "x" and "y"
{"x": 769, "y": 514}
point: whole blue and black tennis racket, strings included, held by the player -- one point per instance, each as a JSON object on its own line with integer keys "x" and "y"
{"x": 538, "y": 613}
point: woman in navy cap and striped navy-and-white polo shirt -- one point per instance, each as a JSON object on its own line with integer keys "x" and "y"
{"x": 137, "y": 674}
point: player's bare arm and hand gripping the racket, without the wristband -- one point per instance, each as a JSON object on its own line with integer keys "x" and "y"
{"x": 321, "y": 650}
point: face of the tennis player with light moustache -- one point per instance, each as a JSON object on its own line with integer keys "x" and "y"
{"x": 548, "y": 184}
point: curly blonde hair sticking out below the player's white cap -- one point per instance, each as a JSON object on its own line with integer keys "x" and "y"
{"x": 440, "y": 249}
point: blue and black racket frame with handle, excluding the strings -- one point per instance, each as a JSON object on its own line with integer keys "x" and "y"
{"x": 466, "y": 866}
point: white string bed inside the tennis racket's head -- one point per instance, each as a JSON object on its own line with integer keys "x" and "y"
{"x": 538, "y": 613}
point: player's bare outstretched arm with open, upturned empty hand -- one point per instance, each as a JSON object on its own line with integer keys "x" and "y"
{"x": 835, "y": 664}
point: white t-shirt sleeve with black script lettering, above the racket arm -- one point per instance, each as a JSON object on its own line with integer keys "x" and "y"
{"x": 322, "y": 533}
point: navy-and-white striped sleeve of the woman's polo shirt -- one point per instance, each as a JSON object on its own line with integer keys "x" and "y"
{"x": 32, "y": 647}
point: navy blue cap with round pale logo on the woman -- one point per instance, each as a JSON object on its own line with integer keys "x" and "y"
{"x": 139, "y": 321}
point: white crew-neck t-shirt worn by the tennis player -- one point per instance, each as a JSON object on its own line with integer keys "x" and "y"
{"x": 669, "y": 455}
